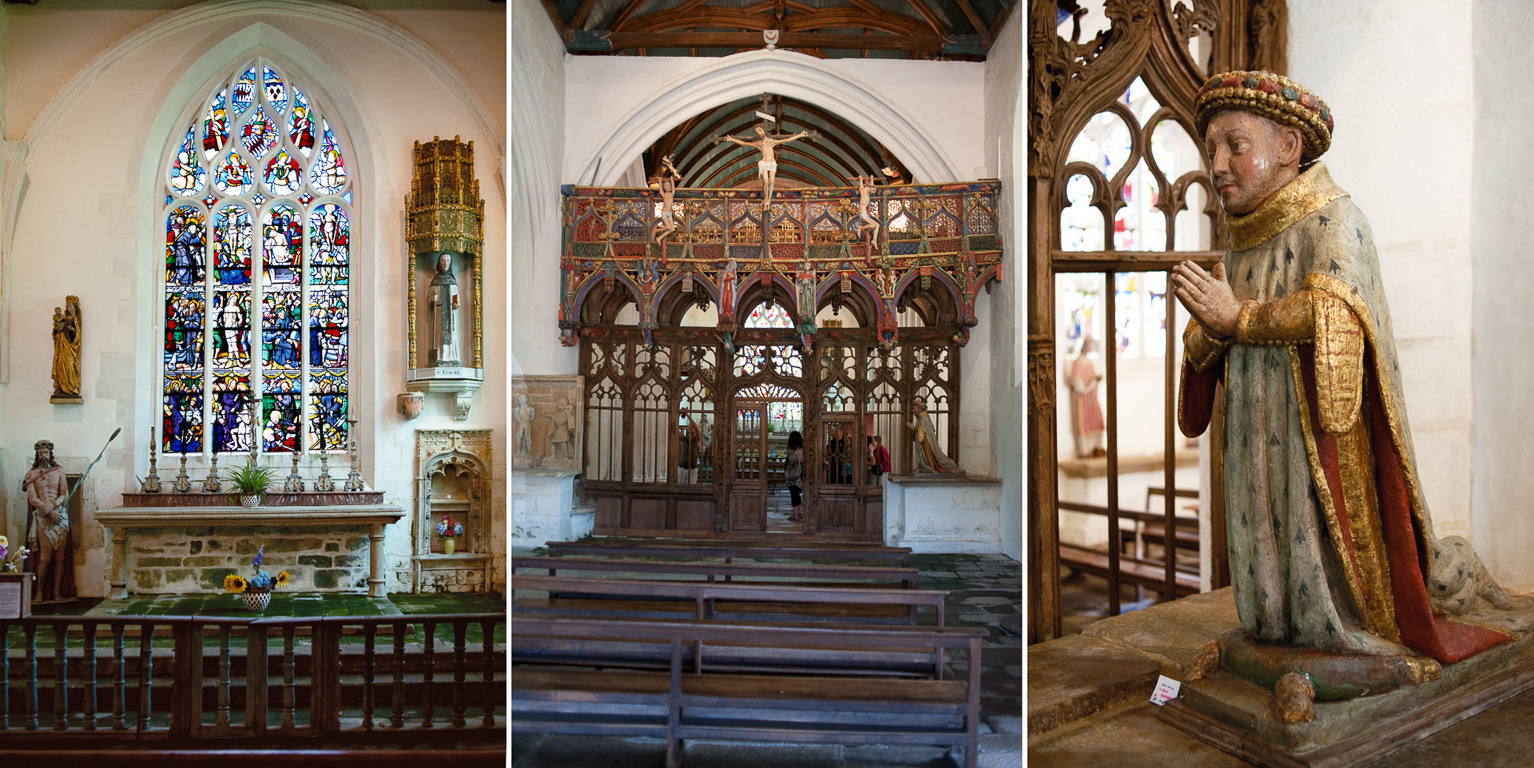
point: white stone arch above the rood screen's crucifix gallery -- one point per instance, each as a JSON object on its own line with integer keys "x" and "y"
{"x": 751, "y": 74}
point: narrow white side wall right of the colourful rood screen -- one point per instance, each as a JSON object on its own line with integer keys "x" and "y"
{"x": 1004, "y": 145}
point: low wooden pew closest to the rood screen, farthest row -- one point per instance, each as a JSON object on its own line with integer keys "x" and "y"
{"x": 729, "y": 551}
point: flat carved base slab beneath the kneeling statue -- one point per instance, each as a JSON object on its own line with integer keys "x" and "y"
{"x": 1355, "y": 709}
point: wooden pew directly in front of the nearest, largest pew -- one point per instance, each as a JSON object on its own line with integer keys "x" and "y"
{"x": 702, "y": 600}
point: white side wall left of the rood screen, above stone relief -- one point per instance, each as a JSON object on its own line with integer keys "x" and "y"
{"x": 538, "y": 159}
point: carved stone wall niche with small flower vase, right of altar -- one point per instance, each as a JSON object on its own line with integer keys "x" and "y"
{"x": 453, "y": 479}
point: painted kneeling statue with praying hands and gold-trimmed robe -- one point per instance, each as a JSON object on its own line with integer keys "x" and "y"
{"x": 1331, "y": 540}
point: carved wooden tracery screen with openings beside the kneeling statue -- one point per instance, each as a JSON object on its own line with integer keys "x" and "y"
{"x": 1119, "y": 194}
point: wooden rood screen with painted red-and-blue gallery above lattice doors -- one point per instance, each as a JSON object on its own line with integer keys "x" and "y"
{"x": 703, "y": 355}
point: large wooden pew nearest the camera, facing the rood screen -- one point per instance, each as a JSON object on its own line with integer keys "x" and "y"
{"x": 694, "y": 700}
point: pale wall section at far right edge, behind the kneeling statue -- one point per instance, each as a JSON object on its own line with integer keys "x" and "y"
{"x": 1503, "y": 217}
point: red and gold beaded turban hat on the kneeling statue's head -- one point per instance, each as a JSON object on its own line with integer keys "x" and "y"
{"x": 1274, "y": 97}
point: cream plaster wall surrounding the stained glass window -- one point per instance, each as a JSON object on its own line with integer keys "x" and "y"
{"x": 97, "y": 116}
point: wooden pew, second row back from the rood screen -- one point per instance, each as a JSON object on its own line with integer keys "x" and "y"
{"x": 731, "y": 573}
